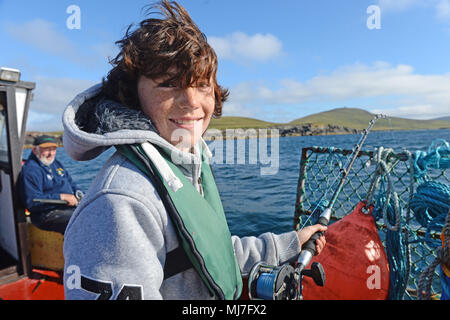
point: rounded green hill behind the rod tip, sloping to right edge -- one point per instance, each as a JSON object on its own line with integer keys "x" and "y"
{"x": 359, "y": 119}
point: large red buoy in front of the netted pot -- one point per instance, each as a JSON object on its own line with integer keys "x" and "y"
{"x": 354, "y": 260}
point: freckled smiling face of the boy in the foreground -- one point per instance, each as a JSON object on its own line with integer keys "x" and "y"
{"x": 181, "y": 115}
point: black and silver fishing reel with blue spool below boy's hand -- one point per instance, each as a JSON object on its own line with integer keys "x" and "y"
{"x": 283, "y": 282}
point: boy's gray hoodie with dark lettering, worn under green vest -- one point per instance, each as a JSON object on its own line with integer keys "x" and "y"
{"x": 116, "y": 242}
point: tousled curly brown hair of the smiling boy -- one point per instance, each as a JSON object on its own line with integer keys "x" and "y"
{"x": 157, "y": 45}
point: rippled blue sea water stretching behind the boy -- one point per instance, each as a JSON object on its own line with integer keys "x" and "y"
{"x": 256, "y": 203}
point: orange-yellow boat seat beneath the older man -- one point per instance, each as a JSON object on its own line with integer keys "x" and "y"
{"x": 46, "y": 248}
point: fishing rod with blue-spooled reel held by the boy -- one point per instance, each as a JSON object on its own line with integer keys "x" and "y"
{"x": 283, "y": 282}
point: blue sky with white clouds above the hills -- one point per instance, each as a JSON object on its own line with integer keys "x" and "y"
{"x": 281, "y": 60}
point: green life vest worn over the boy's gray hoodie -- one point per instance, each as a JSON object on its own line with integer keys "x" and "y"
{"x": 199, "y": 221}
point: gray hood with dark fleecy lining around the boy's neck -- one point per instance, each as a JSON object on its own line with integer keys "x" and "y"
{"x": 92, "y": 124}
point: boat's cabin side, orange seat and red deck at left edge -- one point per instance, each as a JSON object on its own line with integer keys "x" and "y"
{"x": 31, "y": 260}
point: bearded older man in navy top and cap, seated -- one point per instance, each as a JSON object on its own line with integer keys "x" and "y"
{"x": 46, "y": 188}
